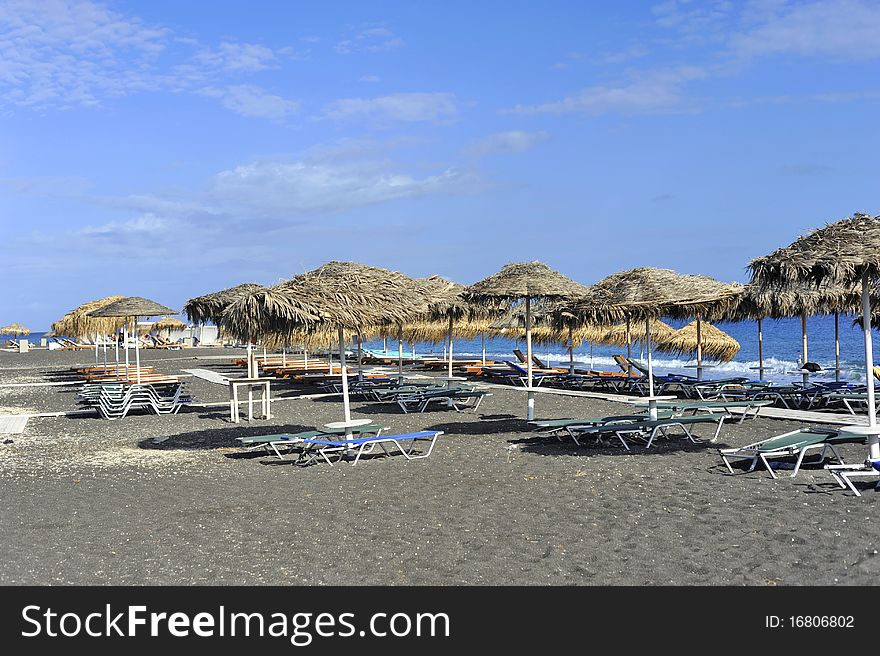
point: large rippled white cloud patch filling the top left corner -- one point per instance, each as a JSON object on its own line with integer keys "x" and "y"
{"x": 59, "y": 54}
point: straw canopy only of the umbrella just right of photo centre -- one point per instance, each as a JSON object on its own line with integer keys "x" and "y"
{"x": 521, "y": 280}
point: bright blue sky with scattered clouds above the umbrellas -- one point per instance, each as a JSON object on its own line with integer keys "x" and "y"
{"x": 168, "y": 149}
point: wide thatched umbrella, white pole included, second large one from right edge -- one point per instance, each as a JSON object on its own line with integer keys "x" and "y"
{"x": 647, "y": 293}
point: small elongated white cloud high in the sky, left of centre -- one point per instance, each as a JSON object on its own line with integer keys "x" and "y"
{"x": 409, "y": 107}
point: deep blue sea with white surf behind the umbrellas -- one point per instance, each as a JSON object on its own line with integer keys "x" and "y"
{"x": 782, "y": 350}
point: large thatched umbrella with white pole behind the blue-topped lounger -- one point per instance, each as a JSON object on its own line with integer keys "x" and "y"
{"x": 344, "y": 295}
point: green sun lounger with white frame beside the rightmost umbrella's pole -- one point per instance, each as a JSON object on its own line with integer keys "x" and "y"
{"x": 792, "y": 444}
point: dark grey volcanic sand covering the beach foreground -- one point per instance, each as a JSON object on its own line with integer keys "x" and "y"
{"x": 90, "y": 501}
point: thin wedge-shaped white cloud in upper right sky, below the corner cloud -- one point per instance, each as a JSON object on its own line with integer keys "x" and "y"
{"x": 659, "y": 91}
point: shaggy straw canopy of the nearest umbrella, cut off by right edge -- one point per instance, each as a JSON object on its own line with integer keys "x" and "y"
{"x": 837, "y": 254}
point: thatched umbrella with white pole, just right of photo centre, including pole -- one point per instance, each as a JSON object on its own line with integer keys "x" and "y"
{"x": 525, "y": 281}
